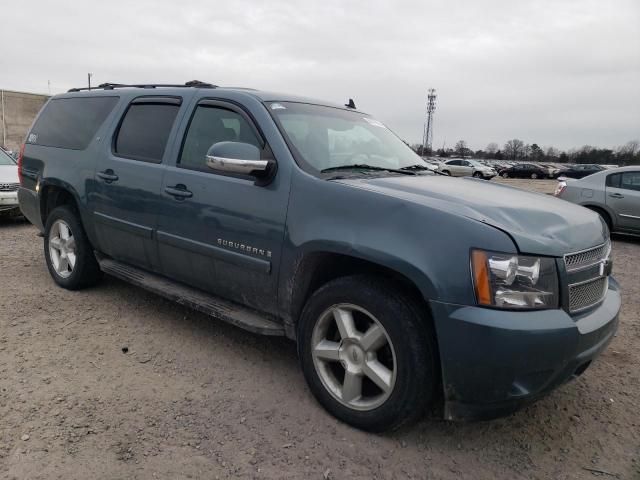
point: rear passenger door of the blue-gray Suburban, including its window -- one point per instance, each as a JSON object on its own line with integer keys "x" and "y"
{"x": 124, "y": 195}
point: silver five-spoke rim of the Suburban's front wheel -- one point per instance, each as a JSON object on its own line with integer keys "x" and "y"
{"x": 354, "y": 357}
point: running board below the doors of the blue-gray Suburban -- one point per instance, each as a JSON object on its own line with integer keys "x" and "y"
{"x": 224, "y": 310}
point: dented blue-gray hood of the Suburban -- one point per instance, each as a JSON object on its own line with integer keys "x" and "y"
{"x": 539, "y": 224}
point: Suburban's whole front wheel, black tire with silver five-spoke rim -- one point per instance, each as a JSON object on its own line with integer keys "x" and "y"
{"x": 367, "y": 353}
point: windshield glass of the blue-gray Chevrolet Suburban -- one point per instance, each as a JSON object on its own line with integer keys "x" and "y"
{"x": 326, "y": 138}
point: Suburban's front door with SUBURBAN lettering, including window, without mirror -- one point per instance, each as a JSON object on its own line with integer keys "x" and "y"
{"x": 220, "y": 232}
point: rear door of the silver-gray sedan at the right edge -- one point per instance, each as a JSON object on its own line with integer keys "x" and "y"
{"x": 623, "y": 197}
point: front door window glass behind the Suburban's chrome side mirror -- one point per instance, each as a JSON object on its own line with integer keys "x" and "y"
{"x": 211, "y": 125}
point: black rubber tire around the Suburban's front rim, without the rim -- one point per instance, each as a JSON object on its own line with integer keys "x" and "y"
{"x": 409, "y": 329}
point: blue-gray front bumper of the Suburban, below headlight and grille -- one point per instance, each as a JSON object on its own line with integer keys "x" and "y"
{"x": 495, "y": 361}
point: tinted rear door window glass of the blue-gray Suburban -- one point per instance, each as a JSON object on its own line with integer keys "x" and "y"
{"x": 145, "y": 130}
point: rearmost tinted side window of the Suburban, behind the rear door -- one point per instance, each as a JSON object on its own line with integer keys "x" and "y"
{"x": 71, "y": 123}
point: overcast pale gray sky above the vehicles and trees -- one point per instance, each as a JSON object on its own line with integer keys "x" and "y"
{"x": 553, "y": 72}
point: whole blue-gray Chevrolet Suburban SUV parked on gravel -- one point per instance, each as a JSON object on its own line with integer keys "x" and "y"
{"x": 403, "y": 289}
